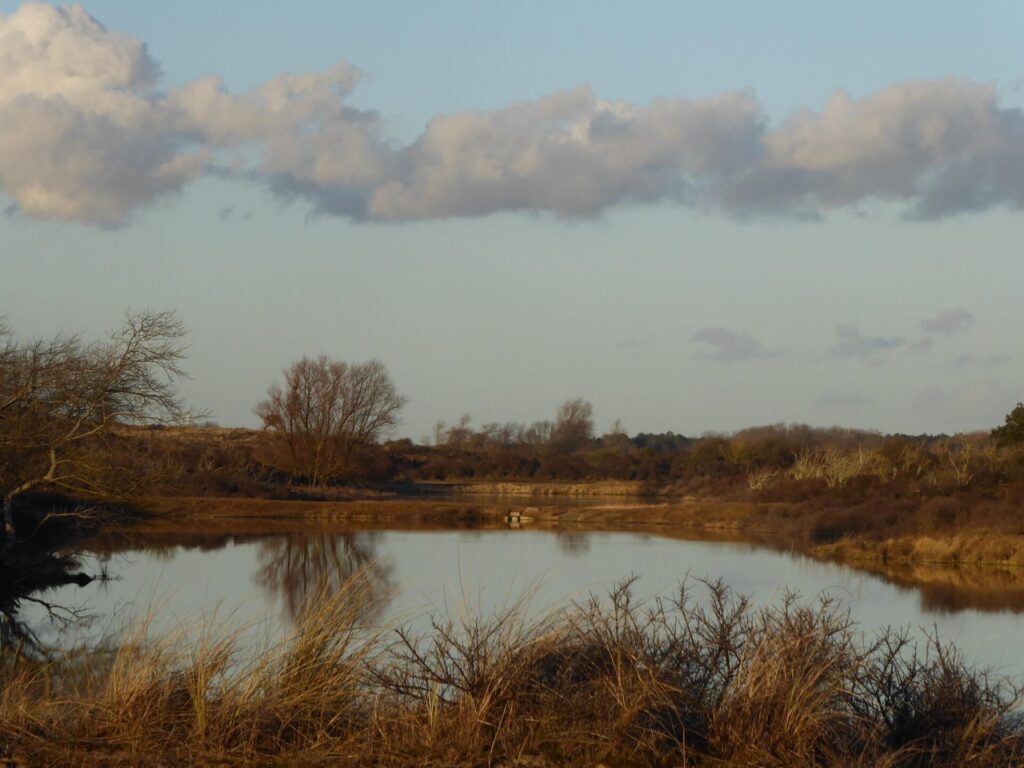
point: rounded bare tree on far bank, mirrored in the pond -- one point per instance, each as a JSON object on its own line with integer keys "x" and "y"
{"x": 328, "y": 409}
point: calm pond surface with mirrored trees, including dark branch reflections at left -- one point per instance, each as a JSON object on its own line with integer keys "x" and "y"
{"x": 280, "y": 566}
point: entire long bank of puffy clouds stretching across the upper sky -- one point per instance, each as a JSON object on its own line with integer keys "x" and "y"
{"x": 87, "y": 136}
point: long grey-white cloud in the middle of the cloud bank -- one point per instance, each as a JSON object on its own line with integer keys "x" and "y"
{"x": 574, "y": 155}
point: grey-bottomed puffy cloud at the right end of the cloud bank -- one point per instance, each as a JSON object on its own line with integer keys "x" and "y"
{"x": 938, "y": 147}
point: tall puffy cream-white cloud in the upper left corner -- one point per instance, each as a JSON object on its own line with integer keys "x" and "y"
{"x": 79, "y": 136}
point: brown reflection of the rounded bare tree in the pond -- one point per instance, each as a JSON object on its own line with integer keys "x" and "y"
{"x": 304, "y": 568}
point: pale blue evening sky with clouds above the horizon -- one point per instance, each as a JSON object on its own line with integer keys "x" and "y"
{"x": 699, "y": 217}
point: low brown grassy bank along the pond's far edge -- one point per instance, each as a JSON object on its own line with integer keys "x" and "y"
{"x": 754, "y": 523}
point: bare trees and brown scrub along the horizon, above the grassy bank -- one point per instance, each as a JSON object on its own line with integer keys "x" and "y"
{"x": 104, "y": 419}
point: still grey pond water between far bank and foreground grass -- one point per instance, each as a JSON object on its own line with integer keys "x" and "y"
{"x": 261, "y": 580}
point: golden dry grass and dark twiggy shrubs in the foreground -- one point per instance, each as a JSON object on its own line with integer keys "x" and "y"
{"x": 682, "y": 682}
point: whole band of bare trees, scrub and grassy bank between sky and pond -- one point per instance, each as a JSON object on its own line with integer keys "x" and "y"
{"x": 72, "y": 416}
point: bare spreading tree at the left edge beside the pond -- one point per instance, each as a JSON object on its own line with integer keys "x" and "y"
{"x": 61, "y": 397}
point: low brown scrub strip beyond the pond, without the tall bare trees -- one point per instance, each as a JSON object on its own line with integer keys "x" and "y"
{"x": 772, "y": 463}
